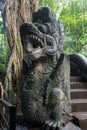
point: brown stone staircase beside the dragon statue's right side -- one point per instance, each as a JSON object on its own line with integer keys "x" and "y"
{"x": 79, "y": 101}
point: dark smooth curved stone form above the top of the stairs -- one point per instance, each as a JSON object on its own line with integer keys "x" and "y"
{"x": 78, "y": 65}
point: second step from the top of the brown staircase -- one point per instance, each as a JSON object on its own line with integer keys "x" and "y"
{"x": 75, "y": 85}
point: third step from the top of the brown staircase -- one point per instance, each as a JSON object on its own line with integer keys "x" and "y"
{"x": 78, "y": 93}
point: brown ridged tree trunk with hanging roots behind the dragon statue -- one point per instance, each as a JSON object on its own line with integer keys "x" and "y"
{"x": 16, "y": 12}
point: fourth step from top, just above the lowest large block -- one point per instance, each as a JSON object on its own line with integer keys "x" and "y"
{"x": 79, "y": 105}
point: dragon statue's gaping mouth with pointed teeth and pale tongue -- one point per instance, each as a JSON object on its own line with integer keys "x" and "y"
{"x": 35, "y": 47}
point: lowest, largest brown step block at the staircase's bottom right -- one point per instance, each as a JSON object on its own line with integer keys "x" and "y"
{"x": 80, "y": 119}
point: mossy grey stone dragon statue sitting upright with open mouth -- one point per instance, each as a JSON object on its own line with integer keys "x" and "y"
{"x": 45, "y": 88}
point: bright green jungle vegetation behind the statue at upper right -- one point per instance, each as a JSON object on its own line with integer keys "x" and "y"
{"x": 73, "y": 14}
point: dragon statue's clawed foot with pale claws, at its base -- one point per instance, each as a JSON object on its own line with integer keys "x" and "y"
{"x": 51, "y": 125}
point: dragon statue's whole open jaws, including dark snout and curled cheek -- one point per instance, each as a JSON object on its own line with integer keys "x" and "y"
{"x": 37, "y": 43}
